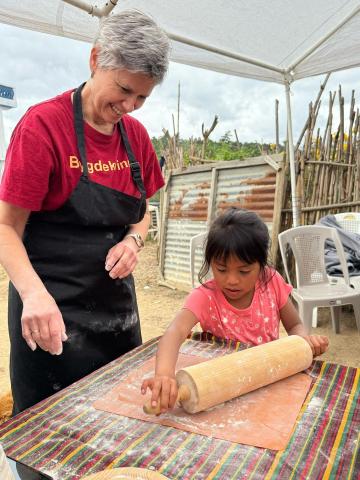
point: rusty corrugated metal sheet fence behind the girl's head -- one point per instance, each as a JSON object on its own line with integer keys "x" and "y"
{"x": 196, "y": 195}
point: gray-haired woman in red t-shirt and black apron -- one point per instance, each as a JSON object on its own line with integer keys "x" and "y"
{"x": 73, "y": 214}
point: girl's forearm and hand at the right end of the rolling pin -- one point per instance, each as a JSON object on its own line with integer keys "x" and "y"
{"x": 294, "y": 326}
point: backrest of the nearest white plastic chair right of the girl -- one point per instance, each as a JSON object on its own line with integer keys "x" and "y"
{"x": 308, "y": 247}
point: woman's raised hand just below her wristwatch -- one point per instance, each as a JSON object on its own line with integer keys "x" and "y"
{"x": 122, "y": 258}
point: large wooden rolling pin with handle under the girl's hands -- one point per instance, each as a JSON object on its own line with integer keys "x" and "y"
{"x": 218, "y": 380}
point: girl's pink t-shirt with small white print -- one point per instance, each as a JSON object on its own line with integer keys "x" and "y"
{"x": 257, "y": 324}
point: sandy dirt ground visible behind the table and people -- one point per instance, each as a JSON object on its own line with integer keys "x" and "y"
{"x": 158, "y": 304}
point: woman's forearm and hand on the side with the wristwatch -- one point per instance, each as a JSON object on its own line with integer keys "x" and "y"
{"x": 123, "y": 257}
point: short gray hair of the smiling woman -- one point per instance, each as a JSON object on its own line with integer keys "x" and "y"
{"x": 132, "y": 41}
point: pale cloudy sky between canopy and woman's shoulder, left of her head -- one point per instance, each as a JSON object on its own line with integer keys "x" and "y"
{"x": 38, "y": 66}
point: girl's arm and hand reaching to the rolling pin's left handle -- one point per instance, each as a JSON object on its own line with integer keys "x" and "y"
{"x": 163, "y": 384}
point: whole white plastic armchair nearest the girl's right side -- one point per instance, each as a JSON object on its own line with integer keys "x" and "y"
{"x": 314, "y": 289}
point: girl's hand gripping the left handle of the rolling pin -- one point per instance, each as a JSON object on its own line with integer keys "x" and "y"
{"x": 164, "y": 390}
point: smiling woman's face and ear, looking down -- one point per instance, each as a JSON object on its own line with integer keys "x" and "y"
{"x": 114, "y": 93}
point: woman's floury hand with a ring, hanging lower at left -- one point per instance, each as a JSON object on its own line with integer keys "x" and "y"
{"x": 42, "y": 322}
